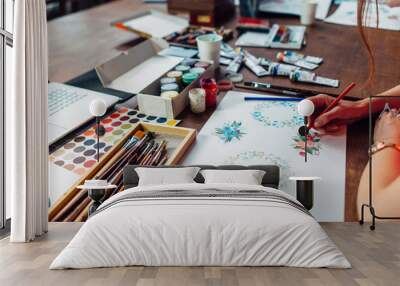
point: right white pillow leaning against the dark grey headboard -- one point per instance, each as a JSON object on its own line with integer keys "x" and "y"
{"x": 247, "y": 177}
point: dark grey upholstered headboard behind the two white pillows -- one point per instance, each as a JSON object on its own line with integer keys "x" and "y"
{"x": 271, "y": 177}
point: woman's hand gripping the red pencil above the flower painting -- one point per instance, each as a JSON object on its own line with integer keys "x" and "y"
{"x": 346, "y": 112}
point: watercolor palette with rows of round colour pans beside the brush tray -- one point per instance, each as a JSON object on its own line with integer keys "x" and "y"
{"x": 80, "y": 153}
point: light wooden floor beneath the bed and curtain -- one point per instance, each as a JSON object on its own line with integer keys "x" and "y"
{"x": 375, "y": 257}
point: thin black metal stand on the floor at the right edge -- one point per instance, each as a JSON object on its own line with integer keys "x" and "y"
{"x": 370, "y": 204}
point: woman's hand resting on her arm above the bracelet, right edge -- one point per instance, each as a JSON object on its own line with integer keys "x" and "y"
{"x": 387, "y": 127}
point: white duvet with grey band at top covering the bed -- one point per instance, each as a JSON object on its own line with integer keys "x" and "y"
{"x": 225, "y": 225}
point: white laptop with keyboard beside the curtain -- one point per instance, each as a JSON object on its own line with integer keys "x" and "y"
{"x": 68, "y": 108}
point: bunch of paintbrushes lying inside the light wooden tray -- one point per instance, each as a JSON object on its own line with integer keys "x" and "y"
{"x": 140, "y": 149}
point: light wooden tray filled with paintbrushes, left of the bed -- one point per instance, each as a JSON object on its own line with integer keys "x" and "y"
{"x": 145, "y": 144}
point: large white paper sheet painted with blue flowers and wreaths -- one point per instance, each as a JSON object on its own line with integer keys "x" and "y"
{"x": 262, "y": 132}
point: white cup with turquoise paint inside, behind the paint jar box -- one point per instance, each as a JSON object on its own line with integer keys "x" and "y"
{"x": 209, "y": 47}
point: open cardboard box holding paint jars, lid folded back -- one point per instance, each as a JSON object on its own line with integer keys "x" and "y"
{"x": 141, "y": 70}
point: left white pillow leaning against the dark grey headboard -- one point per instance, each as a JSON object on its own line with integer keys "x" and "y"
{"x": 166, "y": 176}
